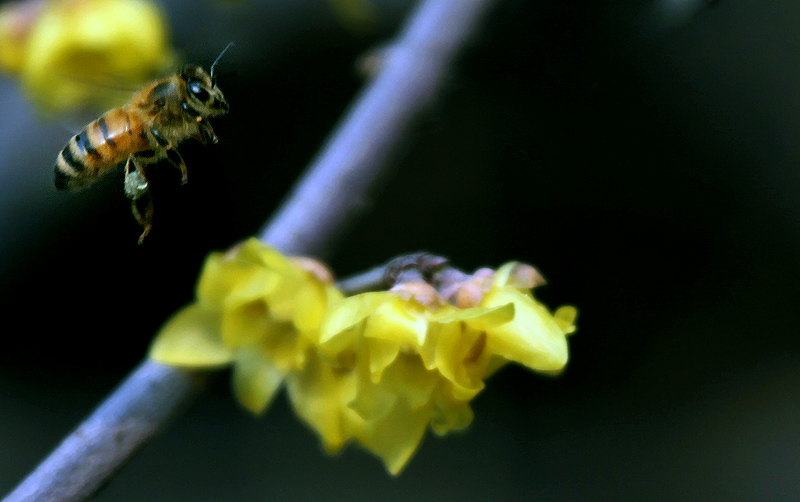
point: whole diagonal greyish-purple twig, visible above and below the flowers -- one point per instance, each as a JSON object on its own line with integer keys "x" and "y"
{"x": 325, "y": 199}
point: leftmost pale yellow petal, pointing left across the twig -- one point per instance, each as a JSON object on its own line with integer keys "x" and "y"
{"x": 191, "y": 338}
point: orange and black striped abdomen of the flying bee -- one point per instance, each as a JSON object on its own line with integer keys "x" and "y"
{"x": 103, "y": 144}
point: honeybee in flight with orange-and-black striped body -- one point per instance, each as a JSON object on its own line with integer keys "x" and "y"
{"x": 144, "y": 132}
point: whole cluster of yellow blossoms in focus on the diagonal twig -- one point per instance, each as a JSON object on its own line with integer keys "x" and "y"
{"x": 375, "y": 368}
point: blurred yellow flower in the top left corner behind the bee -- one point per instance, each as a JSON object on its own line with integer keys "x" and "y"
{"x": 70, "y": 53}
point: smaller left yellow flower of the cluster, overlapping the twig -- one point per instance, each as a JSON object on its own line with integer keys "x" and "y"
{"x": 255, "y": 309}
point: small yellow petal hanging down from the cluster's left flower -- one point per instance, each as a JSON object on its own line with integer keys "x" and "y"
{"x": 256, "y": 379}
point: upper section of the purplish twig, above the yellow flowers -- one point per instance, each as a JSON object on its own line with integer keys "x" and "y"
{"x": 357, "y": 154}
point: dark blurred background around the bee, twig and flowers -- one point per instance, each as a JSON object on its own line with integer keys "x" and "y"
{"x": 643, "y": 155}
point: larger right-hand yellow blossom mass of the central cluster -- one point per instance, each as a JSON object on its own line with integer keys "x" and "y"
{"x": 389, "y": 366}
